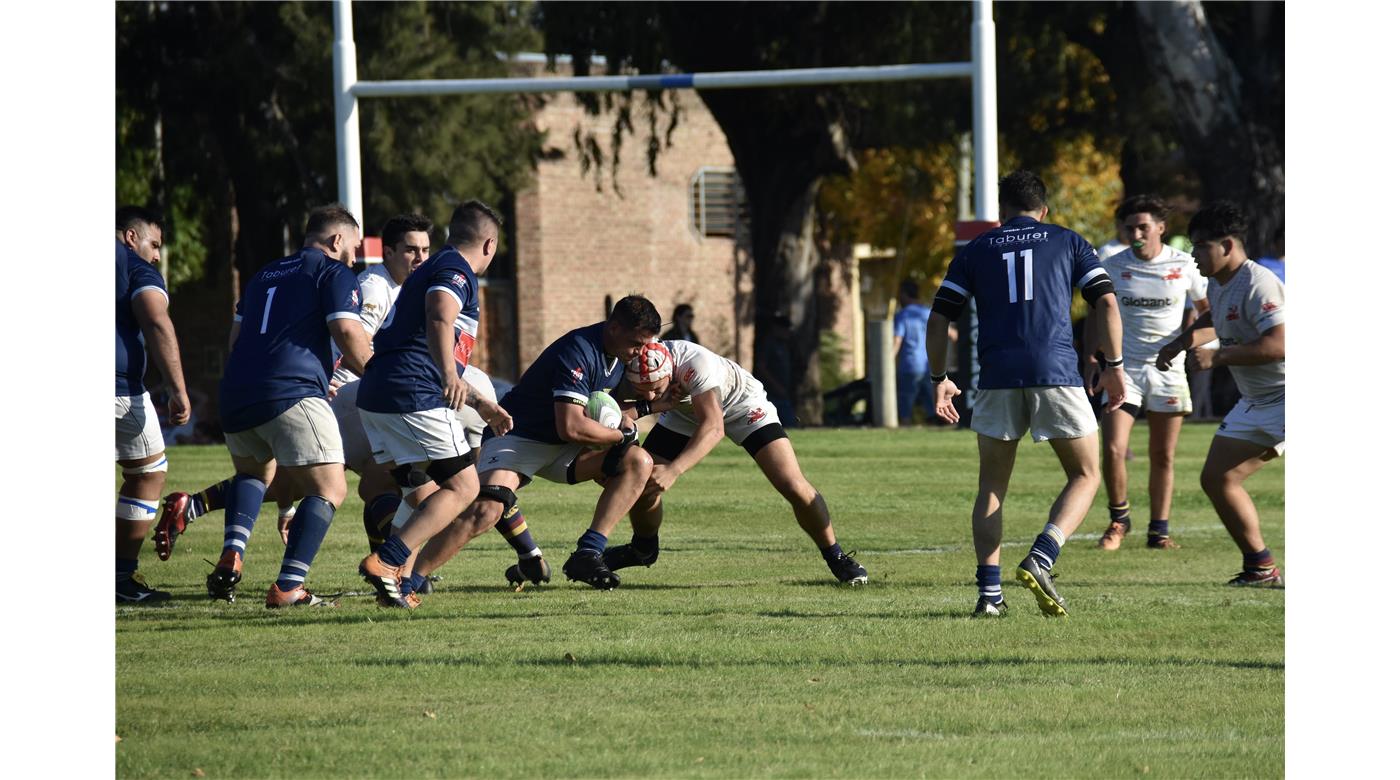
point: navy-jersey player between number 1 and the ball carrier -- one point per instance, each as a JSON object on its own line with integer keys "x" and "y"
{"x": 412, "y": 390}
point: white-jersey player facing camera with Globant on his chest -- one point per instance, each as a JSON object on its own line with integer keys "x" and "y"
{"x": 1154, "y": 282}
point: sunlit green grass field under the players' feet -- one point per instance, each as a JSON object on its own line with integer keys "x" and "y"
{"x": 737, "y": 655}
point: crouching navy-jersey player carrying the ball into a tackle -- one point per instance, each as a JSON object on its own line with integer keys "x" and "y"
{"x": 555, "y": 439}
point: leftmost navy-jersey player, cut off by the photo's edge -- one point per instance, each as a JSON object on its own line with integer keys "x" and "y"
{"x": 142, "y": 326}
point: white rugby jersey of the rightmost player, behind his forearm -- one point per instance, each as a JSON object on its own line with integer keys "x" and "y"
{"x": 1242, "y": 310}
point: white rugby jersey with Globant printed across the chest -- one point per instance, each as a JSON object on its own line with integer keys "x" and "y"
{"x": 1153, "y": 298}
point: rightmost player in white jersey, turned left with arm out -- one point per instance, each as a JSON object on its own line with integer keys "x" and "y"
{"x": 1248, "y": 319}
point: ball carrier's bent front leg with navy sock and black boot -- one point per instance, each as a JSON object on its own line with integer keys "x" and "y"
{"x": 625, "y": 471}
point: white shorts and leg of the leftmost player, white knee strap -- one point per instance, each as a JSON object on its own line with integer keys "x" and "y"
{"x": 141, "y": 453}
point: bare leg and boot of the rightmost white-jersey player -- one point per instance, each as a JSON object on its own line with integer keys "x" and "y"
{"x": 1228, "y": 464}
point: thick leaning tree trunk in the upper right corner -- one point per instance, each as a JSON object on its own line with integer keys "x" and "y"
{"x": 1223, "y": 123}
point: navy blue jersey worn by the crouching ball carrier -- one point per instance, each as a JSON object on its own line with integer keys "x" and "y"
{"x": 570, "y": 369}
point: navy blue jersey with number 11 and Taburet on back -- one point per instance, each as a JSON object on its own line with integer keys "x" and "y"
{"x": 1023, "y": 277}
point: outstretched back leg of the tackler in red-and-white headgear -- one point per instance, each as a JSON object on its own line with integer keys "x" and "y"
{"x": 772, "y": 450}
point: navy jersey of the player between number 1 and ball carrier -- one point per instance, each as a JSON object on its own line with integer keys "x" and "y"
{"x": 402, "y": 376}
